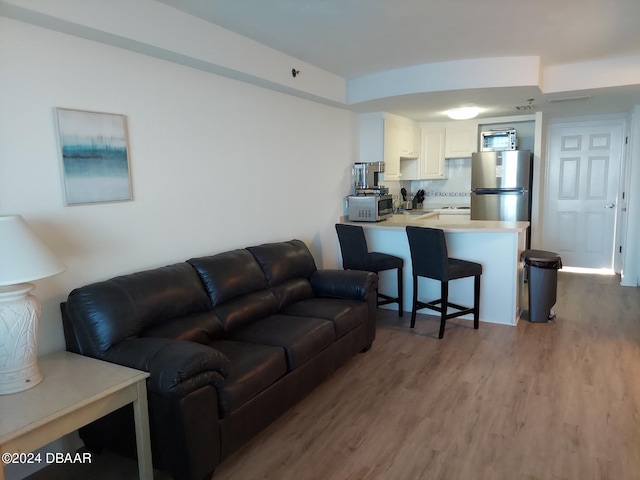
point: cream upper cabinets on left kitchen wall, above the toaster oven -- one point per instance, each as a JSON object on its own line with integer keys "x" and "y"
{"x": 386, "y": 138}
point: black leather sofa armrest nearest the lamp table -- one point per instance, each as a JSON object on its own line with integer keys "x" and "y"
{"x": 177, "y": 367}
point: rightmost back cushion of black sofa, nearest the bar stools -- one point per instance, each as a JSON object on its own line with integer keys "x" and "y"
{"x": 287, "y": 267}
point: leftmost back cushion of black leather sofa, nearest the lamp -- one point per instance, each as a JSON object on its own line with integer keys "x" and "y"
{"x": 105, "y": 313}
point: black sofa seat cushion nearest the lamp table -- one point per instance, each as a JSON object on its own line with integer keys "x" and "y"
{"x": 253, "y": 369}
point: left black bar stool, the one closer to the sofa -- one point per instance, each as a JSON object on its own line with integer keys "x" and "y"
{"x": 356, "y": 256}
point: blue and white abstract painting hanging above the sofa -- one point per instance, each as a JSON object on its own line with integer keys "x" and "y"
{"x": 95, "y": 158}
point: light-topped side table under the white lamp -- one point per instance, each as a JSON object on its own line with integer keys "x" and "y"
{"x": 76, "y": 390}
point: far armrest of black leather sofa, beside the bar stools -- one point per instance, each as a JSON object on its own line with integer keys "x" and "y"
{"x": 344, "y": 283}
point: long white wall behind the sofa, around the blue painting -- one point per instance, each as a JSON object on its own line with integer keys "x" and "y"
{"x": 216, "y": 163}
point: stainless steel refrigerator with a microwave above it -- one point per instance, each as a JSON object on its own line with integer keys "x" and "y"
{"x": 501, "y": 185}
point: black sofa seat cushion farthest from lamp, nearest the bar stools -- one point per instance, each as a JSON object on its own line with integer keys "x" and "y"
{"x": 343, "y": 313}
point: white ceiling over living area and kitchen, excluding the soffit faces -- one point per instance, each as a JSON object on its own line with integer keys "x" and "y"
{"x": 352, "y": 38}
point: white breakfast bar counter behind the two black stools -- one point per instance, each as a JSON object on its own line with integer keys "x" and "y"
{"x": 495, "y": 245}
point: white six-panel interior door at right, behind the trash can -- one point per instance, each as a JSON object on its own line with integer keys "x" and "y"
{"x": 582, "y": 192}
